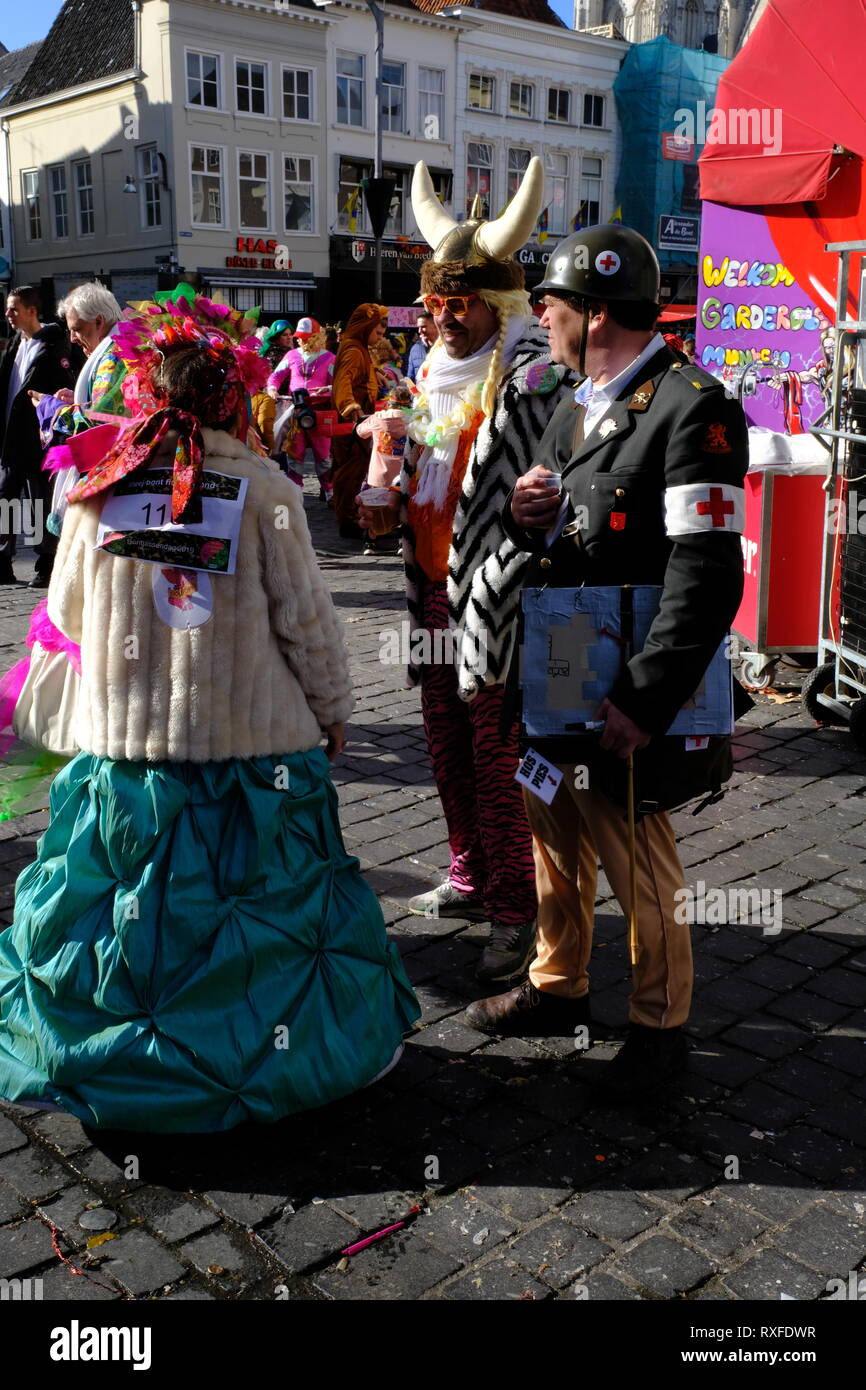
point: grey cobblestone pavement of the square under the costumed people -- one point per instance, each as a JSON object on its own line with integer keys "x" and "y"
{"x": 749, "y": 1185}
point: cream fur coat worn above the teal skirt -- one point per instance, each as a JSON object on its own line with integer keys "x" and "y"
{"x": 262, "y": 676}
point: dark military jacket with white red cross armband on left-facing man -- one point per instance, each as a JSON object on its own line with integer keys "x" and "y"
{"x": 655, "y": 497}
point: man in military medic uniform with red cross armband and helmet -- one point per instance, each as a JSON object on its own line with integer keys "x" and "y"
{"x": 653, "y": 457}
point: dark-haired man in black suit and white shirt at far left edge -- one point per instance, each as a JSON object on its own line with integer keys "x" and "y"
{"x": 37, "y": 359}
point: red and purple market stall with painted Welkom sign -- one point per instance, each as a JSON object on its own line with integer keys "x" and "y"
{"x": 782, "y": 174}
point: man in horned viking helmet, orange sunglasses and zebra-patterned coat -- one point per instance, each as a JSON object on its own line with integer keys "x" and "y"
{"x": 487, "y": 393}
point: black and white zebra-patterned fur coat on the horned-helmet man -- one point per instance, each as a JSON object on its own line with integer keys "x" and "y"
{"x": 484, "y": 568}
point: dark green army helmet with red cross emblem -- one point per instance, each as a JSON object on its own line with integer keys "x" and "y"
{"x": 608, "y": 262}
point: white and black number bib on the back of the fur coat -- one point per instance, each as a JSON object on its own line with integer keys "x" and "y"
{"x": 137, "y": 522}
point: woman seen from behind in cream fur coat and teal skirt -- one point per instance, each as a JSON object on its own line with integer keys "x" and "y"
{"x": 194, "y": 947}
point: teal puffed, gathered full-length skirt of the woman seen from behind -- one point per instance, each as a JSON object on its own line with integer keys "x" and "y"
{"x": 194, "y": 949}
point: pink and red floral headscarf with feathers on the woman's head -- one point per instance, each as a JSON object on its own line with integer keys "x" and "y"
{"x": 144, "y": 338}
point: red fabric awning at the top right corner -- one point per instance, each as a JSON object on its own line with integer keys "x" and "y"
{"x": 797, "y": 85}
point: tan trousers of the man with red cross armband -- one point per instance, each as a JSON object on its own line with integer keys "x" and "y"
{"x": 569, "y": 837}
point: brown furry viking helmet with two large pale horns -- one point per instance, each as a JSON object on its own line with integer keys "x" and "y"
{"x": 476, "y": 255}
